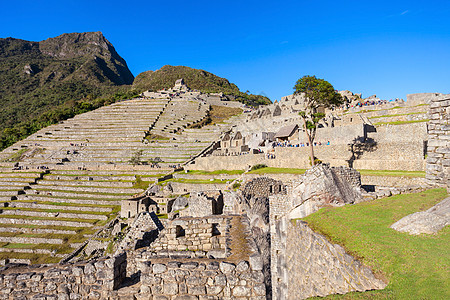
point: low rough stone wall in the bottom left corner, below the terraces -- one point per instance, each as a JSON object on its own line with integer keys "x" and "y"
{"x": 94, "y": 280}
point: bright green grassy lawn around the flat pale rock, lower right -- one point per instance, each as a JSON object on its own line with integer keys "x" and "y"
{"x": 417, "y": 267}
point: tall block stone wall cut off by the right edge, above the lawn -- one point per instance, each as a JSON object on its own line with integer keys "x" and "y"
{"x": 438, "y": 160}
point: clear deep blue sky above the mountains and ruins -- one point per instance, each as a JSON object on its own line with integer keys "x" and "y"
{"x": 389, "y": 48}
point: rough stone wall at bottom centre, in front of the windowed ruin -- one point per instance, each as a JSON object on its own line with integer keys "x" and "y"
{"x": 201, "y": 280}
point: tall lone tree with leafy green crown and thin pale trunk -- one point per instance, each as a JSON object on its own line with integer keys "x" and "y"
{"x": 319, "y": 94}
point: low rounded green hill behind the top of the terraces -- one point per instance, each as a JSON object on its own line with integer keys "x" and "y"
{"x": 196, "y": 79}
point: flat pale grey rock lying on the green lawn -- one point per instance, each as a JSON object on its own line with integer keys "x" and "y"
{"x": 428, "y": 222}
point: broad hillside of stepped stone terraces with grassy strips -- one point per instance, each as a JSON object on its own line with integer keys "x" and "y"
{"x": 64, "y": 183}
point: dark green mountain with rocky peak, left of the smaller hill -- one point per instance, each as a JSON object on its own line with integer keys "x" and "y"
{"x": 41, "y": 82}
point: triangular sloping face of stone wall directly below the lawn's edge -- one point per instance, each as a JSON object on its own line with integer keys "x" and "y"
{"x": 321, "y": 268}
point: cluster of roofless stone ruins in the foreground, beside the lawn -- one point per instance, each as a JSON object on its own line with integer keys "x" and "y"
{"x": 205, "y": 253}
